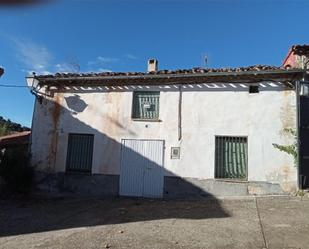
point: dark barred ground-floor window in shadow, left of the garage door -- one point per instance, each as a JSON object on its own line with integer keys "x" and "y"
{"x": 79, "y": 153}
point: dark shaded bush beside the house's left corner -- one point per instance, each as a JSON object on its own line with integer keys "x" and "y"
{"x": 15, "y": 170}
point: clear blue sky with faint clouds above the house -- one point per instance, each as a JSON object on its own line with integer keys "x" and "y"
{"x": 121, "y": 35}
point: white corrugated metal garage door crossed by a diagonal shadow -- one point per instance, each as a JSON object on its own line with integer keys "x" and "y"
{"x": 142, "y": 171}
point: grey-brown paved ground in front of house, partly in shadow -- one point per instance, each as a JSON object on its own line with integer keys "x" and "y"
{"x": 272, "y": 222}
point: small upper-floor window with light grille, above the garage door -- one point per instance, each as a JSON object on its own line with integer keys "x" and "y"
{"x": 146, "y": 105}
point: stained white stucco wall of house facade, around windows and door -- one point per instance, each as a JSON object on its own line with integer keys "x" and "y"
{"x": 207, "y": 110}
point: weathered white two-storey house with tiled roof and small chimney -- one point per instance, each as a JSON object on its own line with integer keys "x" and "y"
{"x": 165, "y": 133}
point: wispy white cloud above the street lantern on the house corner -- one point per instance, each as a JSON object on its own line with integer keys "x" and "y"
{"x": 35, "y": 57}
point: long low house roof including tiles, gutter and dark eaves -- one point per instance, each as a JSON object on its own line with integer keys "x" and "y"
{"x": 182, "y": 76}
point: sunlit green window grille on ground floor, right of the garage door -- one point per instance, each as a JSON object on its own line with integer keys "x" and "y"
{"x": 231, "y": 157}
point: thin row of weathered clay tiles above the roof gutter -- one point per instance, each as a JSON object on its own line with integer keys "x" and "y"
{"x": 255, "y": 68}
